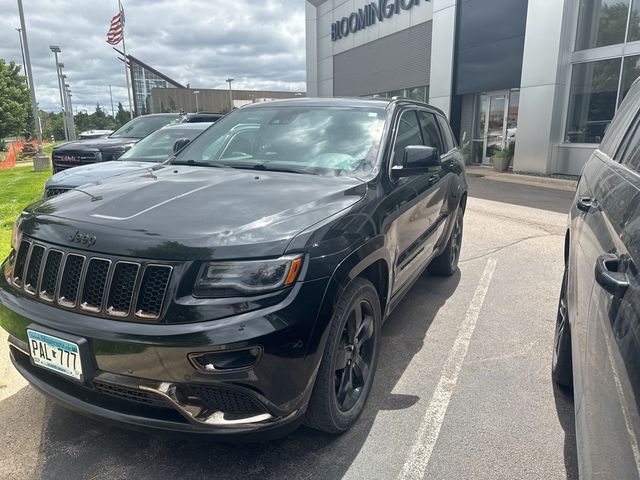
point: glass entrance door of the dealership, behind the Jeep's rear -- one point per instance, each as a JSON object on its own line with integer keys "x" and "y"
{"x": 496, "y": 116}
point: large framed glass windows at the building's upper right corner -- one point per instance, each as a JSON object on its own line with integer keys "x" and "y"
{"x": 598, "y": 86}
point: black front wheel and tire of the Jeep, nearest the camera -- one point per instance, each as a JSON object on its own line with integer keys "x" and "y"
{"x": 349, "y": 360}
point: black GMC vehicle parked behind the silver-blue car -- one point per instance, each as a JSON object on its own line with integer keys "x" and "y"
{"x": 106, "y": 149}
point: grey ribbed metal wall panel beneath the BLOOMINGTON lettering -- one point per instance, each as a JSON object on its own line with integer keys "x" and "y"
{"x": 400, "y": 60}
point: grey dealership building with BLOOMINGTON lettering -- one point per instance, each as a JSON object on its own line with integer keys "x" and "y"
{"x": 547, "y": 73}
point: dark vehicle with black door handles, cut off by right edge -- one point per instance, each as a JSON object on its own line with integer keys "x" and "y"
{"x": 597, "y": 341}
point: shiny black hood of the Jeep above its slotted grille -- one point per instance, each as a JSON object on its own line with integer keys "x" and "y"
{"x": 188, "y": 213}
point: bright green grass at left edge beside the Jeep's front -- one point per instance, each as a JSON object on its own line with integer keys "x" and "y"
{"x": 19, "y": 186}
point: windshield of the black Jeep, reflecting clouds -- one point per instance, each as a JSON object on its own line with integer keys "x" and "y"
{"x": 319, "y": 140}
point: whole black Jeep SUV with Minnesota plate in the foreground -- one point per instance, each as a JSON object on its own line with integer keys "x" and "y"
{"x": 241, "y": 286}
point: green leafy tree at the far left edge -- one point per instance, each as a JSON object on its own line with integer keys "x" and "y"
{"x": 15, "y": 102}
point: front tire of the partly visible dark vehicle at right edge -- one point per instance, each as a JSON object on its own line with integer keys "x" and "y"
{"x": 561, "y": 363}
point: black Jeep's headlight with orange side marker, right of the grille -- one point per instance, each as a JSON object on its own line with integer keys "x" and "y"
{"x": 223, "y": 279}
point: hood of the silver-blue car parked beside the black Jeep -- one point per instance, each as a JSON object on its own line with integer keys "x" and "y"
{"x": 95, "y": 172}
